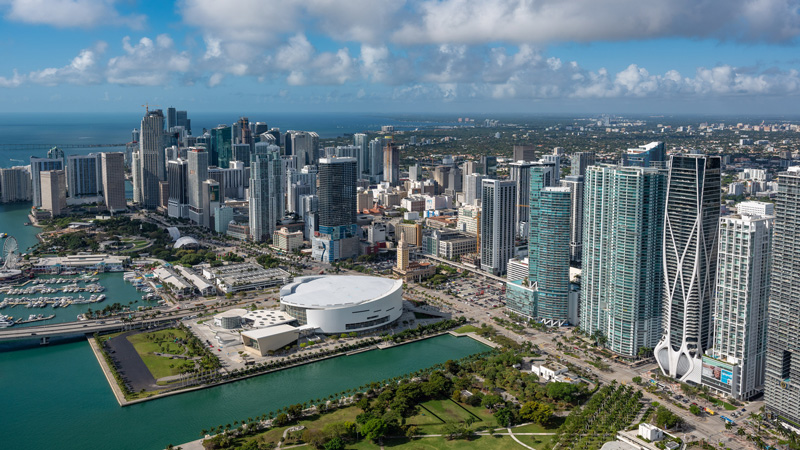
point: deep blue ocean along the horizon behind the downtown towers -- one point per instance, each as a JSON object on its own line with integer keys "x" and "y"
{"x": 45, "y": 130}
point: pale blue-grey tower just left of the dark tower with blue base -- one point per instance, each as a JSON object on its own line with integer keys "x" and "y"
{"x": 266, "y": 190}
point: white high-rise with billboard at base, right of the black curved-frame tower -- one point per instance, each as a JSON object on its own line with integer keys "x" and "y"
{"x": 736, "y": 363}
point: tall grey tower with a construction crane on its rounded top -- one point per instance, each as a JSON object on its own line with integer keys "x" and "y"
{"x": 151, "y": 157}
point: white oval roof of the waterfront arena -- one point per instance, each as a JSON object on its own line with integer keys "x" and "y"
{"x": 329, "y": 291}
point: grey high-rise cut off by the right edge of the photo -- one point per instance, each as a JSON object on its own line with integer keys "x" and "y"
{"x": 782, "y": 380}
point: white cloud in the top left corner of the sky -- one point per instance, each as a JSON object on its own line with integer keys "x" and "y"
{"x": 70, "y": 13}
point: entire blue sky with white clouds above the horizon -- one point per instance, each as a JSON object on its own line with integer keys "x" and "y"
{"x": 494, "y": 56}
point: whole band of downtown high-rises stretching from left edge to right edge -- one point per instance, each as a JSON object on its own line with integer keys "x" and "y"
{"x": 661, "y": 269}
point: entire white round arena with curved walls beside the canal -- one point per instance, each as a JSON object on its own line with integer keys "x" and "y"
{"x": 343, "y": 303}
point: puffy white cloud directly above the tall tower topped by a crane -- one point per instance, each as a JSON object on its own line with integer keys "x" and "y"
{"x": 147, "y": 63}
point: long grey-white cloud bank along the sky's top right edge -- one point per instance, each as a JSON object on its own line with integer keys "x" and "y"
{"x": 543, "y": 21}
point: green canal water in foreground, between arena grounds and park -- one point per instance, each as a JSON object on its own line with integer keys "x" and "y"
{"x": 57, "y": 397}
